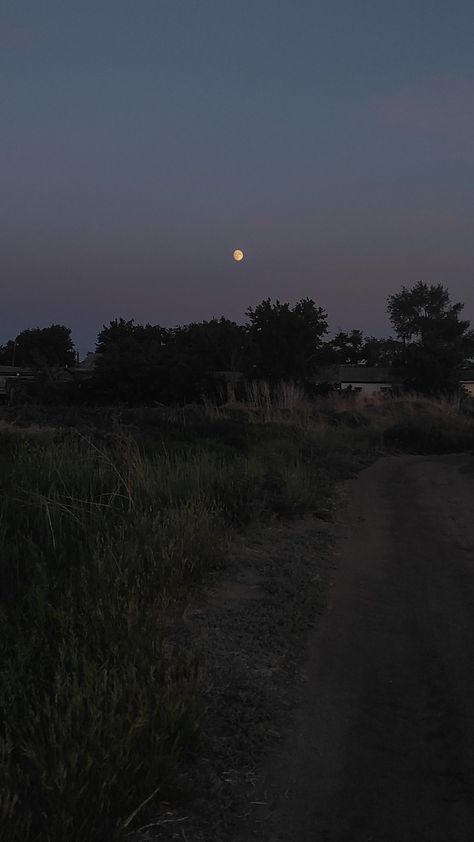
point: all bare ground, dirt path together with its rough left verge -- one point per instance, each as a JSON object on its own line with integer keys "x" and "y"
{"x": 344, "y": 656}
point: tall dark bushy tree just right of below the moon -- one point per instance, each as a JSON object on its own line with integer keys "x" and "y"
{"x": 285, "y": 341}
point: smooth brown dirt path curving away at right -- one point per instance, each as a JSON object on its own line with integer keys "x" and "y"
{"x": 383, "y": 750}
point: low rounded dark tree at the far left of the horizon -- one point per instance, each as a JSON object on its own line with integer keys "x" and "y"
{"x": 40, "y": 348}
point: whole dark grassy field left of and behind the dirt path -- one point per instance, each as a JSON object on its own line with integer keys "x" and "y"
{"x": 107, "y": 520}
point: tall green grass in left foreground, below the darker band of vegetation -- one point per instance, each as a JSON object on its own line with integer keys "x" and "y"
{"x": 97, "y": 540}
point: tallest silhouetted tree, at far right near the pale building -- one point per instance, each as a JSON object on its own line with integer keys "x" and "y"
{"x": 436, "y": 342}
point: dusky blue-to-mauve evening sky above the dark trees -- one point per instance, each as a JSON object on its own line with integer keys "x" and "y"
{"x": 142, "y": 141}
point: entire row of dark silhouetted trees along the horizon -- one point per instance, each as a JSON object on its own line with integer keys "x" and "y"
{"x": 148, "y": 363}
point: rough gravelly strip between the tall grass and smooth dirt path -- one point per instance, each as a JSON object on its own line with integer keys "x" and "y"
{"x": 249, "y": 627}
